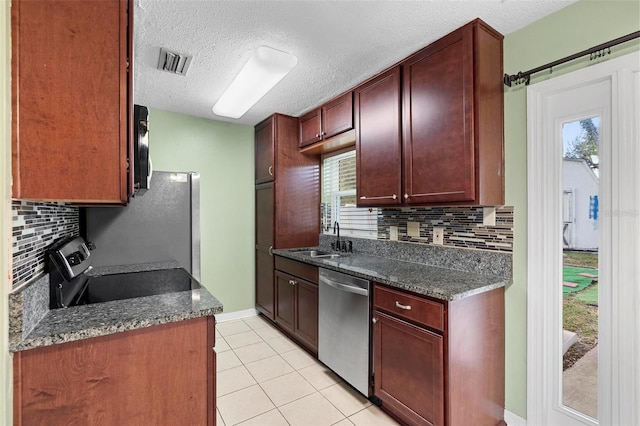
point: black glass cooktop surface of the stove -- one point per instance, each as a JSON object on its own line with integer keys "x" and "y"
{"x": 107, "y": 288}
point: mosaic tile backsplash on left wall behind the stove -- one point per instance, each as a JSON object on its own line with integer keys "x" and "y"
{"x": 35, "y": 226}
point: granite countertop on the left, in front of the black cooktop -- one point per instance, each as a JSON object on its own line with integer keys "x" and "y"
{"x": 86, "y": 321}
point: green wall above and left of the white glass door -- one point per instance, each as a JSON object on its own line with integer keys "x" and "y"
{"x": 575, "y": 28}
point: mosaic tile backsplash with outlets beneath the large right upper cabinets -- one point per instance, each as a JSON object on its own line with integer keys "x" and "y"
{"x": 463, "y": 226}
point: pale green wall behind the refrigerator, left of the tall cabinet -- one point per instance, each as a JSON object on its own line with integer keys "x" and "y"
{"x": 223, "y": 155}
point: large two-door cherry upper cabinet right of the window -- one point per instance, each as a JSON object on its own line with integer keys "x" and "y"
{"x": 429, "y": 131}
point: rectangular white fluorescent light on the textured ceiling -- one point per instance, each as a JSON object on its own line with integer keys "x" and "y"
{"x": 264, "y": 70}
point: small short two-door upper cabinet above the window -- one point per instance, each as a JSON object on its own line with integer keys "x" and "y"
{"x": 331, "y": 119}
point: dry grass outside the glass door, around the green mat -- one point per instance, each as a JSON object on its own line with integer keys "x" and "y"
{"x": 580, "y": 308}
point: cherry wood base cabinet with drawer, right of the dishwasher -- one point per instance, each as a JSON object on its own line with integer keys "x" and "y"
{"x": 439, "y": 362}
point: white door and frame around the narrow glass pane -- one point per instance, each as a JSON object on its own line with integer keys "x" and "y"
{"x": 619, "y": 249}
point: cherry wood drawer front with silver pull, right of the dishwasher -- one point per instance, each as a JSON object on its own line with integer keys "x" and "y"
{"x": 414, "y": 308}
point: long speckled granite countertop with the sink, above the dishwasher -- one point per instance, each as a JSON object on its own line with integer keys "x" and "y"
{"x": 437, "y": 282}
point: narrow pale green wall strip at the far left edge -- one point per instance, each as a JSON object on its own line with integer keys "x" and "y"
{"x": 5, "y": 209}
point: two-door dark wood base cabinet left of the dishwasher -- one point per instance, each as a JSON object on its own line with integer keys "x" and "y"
{"x": 296, "y": 306}
